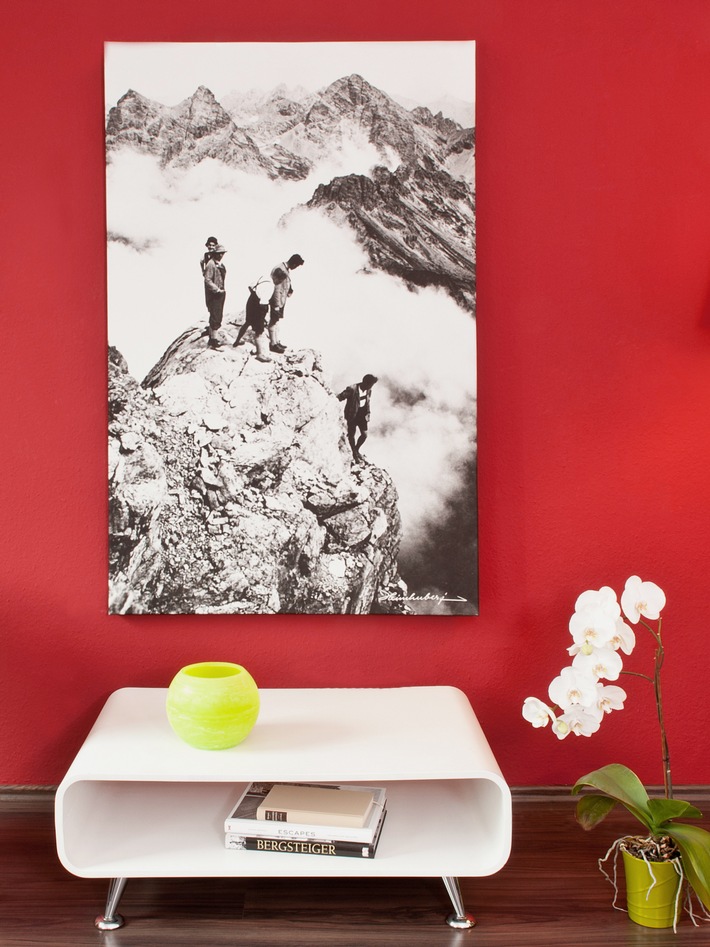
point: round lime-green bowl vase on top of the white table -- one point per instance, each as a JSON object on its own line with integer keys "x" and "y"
{"x": 213, "y": 705}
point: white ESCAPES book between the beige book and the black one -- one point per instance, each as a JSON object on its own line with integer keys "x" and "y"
{"x": 243, "y": 819}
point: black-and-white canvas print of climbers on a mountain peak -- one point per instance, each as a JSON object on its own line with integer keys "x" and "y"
{"x": 291, "y": 328}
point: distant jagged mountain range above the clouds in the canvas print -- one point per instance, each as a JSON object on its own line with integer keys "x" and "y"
{"x": 413, "y": 211}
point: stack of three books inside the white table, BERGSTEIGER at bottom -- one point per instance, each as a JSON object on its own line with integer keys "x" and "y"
{"x": 307, "y": 818}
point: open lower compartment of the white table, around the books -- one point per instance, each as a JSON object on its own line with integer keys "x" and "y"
{"x": 176, "y": 829}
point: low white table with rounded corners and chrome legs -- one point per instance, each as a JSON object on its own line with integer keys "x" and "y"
{"x": 139, "y": 802}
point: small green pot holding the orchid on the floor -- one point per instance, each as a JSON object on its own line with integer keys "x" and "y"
{"x": 651, "y": 903}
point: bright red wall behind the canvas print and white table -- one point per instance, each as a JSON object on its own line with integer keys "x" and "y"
{"x": 594, "y": 380}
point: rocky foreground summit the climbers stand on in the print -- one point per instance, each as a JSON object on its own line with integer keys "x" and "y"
{"x": 232, "y": 490}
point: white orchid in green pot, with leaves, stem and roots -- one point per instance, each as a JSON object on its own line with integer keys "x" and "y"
{"x": 669, "y": 855}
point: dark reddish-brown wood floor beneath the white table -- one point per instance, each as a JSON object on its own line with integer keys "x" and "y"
{"x": 550, "y": 894}
